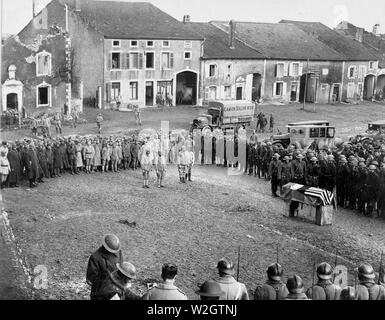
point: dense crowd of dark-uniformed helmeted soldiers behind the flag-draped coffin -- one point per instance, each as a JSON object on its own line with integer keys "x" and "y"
{"x": 355, "y": 172}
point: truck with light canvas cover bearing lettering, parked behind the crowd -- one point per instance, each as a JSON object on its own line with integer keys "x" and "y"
{"x": 226, "y": 114}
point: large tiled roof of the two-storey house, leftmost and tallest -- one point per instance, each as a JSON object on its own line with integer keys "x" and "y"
{"x": 132, "y": 20}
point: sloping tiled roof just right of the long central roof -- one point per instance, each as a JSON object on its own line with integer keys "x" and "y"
{"x": 350, "y": 49}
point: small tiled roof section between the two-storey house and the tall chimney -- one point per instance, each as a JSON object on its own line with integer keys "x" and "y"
{"x": 216, "y": 44}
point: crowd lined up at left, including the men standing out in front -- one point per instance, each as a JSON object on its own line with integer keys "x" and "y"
{"x": 35, "y": 159}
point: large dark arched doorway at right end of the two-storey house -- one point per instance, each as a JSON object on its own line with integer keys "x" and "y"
{"x": 186, "y": 88}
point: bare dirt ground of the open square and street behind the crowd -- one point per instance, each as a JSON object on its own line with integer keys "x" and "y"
{"x": 60, "y": 223}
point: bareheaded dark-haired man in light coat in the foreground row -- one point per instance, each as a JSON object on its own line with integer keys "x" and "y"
{"x": 167, "y": 289}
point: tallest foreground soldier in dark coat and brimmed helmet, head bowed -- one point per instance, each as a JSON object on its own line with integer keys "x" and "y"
{"x": 102, "y": 262}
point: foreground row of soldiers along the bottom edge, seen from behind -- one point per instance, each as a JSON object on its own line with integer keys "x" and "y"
{"x": 112, "y": 278}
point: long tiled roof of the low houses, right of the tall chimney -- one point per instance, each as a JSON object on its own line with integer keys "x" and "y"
{"x": 281, "y": 41}
